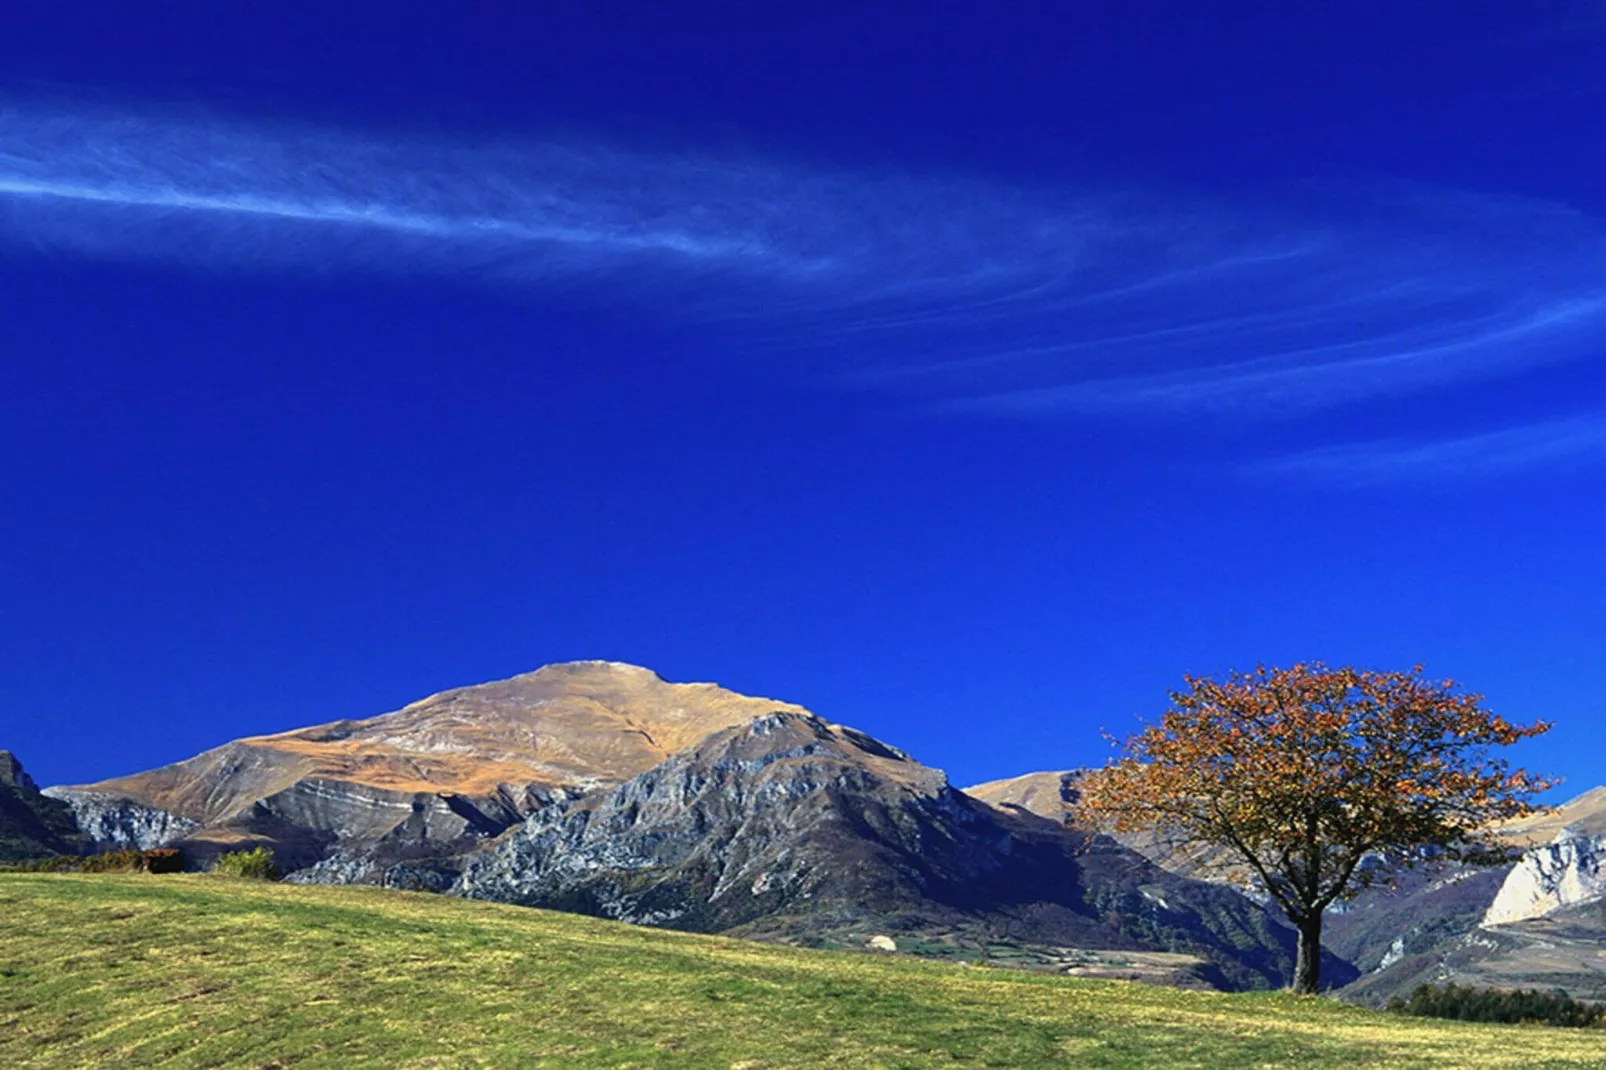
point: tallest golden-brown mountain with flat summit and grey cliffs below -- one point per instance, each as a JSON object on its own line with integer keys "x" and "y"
{"x": 447, "y": 770}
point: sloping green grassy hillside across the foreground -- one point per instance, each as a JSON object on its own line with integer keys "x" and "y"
{"x": 194, "y": 971}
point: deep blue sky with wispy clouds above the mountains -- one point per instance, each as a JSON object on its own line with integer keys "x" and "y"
{"x": 969, "y": 377}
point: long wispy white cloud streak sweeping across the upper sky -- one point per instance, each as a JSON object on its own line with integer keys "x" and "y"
{"x": 956, "y": 295}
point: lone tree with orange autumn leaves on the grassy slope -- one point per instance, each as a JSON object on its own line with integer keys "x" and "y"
{"x": 1321, "y": 780}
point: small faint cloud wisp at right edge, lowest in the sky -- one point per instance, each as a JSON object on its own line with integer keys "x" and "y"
{"x": 1546, "y": 446}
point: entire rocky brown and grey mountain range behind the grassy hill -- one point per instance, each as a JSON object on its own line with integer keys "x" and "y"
{"x": 601, "y": 788}
